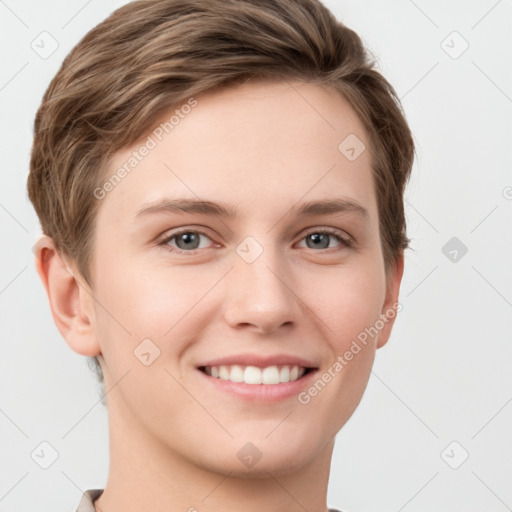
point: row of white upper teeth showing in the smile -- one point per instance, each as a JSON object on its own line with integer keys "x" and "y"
{"x": 255, "y": 375}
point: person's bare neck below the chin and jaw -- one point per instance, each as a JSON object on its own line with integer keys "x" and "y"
{"x": 144, "y": 474}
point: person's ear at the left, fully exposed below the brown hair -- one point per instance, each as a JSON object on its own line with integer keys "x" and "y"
{"x": 71, "y": 300}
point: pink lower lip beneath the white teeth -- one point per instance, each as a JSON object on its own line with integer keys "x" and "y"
{"x": 262, "y": 392}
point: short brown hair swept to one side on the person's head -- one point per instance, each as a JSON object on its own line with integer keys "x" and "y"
{"x": 151, "y": 55}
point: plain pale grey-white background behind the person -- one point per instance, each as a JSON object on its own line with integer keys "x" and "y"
{"x": 446, "y": 373}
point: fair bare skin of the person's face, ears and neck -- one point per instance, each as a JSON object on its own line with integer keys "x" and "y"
{"x": 263, "y": 148}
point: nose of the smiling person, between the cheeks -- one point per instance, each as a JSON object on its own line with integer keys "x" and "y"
{"x": 260, "y": 295}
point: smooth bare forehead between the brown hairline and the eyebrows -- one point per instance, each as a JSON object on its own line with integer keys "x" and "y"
{"x": 261, "y": 146}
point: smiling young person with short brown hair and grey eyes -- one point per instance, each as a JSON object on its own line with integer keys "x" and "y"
{"x": 220, "y": 187}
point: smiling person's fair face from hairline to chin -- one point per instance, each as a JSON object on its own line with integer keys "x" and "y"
{"x": 282, "y": 267}
